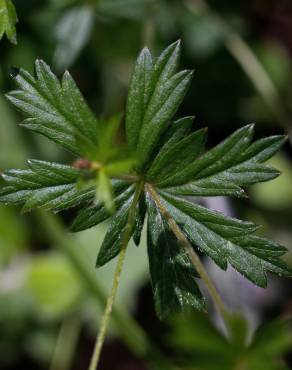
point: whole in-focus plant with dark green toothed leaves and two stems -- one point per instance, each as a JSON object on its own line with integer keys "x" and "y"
{"x": 163, "y": 162}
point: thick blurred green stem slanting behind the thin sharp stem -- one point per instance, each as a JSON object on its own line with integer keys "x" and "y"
{"x": 130, "y": 332}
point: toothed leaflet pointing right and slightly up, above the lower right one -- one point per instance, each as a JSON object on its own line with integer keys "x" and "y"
{"x": 226, "y": 168}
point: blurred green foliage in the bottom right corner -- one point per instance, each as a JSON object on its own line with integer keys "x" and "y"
{"x": 197, "y": 343}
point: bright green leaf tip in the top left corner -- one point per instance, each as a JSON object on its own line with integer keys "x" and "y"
{"x": 8, "y": 20}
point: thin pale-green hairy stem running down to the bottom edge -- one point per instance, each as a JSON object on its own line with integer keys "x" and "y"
{"x": 109, "y": 305}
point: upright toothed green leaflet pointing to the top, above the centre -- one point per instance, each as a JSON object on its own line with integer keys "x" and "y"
{"x": 154, "y": 96}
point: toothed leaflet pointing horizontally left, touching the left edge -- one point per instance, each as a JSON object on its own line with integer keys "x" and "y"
{"x": 45, "y": 185}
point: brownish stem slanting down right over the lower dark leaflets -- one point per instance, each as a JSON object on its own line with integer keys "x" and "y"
{"x": 223, "y": 312}
